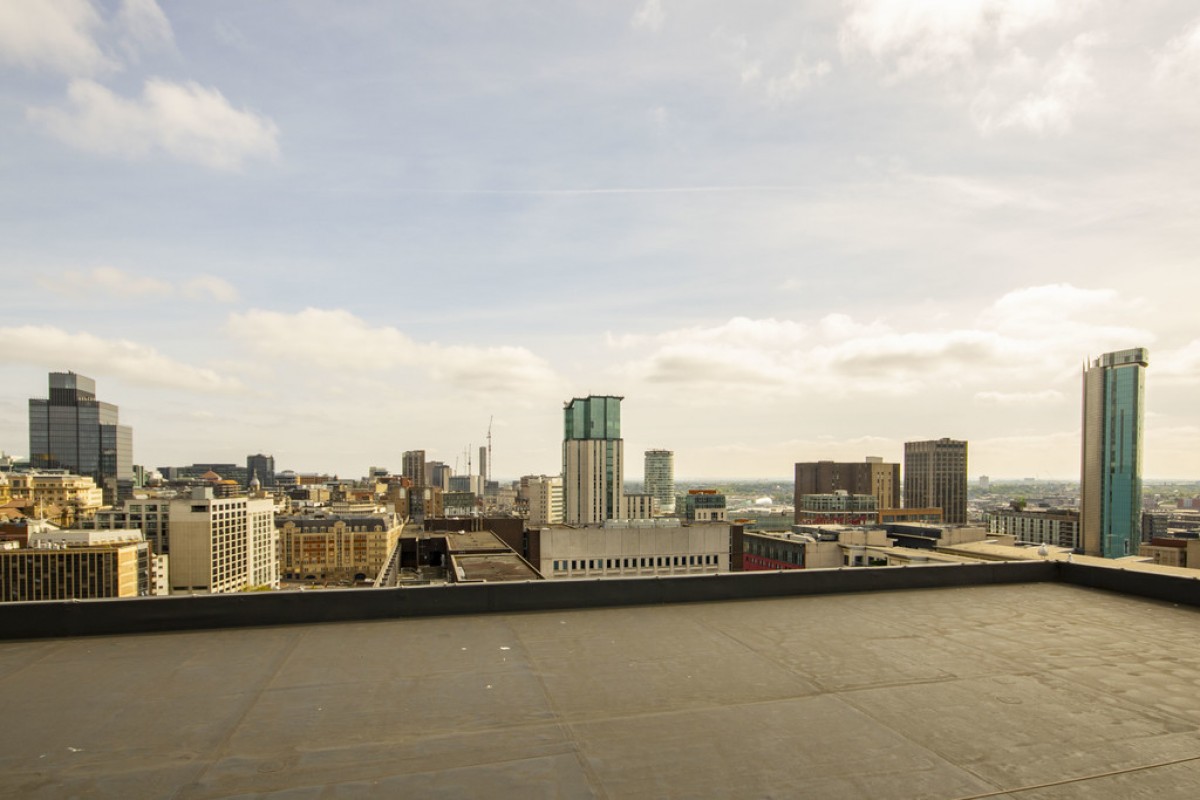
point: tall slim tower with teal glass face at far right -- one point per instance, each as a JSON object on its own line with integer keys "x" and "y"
{"x": 1111, "y": 476}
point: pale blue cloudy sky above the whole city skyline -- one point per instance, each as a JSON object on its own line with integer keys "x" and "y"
{"x": 784, "y": 232}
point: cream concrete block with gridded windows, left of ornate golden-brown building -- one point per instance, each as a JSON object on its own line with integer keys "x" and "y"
{"x": 220, "y": 545}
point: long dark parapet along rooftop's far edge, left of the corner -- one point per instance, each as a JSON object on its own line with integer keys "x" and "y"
{"x": 31, "y": 621}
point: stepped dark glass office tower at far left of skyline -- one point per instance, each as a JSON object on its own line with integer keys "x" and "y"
{"x": 76, "y": 432}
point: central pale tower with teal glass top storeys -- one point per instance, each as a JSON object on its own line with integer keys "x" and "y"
{"x": 593, "y": 461}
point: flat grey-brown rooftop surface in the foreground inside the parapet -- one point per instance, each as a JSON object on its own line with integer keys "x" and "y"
{"x": 1033, "y": 691}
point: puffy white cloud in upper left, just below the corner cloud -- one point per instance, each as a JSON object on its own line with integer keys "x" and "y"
{"x": 187, "y": 122}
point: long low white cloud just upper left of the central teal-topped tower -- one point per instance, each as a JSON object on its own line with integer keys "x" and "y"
{"x": 338, "y": 340}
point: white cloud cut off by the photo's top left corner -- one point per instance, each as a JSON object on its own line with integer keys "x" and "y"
{"x": 57, "y": 35}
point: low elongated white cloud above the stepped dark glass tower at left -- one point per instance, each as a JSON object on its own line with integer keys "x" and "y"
{"x": 45, "y": 345}
